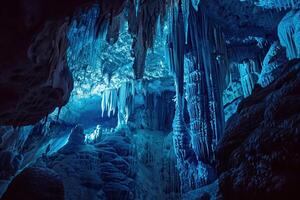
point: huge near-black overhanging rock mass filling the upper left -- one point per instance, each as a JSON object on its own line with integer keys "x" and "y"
{"x": 35, "y": 78}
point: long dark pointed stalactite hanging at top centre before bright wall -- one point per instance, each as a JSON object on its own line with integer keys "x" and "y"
{"x": 143, "y": 18}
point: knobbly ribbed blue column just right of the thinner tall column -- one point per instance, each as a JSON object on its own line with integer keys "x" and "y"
{"x": 197, "y": 98}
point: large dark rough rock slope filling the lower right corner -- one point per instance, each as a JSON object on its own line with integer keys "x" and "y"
{"x": 258, "y": 158}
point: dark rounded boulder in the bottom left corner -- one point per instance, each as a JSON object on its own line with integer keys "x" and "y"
{"x": 35, "y": 184}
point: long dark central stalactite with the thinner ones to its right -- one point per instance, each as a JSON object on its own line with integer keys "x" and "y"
{"x": 144, "y": 17}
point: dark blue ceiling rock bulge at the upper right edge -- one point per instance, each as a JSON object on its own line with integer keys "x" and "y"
{"x": 243, "y": 17}
